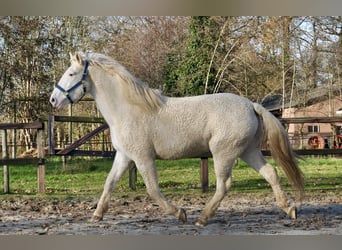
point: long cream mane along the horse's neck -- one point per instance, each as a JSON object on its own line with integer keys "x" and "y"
{"x": 136, "y": 91}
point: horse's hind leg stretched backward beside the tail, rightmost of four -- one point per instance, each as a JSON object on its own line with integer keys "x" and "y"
{"x": 256, "y": 160}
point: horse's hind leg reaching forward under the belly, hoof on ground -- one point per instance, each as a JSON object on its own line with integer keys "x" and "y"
{"x": 223, "y": 183}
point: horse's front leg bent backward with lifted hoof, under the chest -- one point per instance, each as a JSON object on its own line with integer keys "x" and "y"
{"x": 149, "y": 174}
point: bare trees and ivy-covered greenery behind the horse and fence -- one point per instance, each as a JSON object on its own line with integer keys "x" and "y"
{"x": 256, "y": 57}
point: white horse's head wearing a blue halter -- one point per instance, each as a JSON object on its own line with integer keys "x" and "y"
{"x": 73, "y": 85}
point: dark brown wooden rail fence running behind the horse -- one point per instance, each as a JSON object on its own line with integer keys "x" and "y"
{"x": 73, "y": 148}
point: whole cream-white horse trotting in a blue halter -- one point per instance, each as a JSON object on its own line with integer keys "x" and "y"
{"x": 146, "y": 125}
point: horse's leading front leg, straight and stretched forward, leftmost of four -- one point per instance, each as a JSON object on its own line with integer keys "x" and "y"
{"x": 120, "y": 165}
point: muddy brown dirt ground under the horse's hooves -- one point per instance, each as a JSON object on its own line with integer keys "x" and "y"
{"x": 239, "y": 214}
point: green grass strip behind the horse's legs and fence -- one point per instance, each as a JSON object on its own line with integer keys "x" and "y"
{"x": 84, "y": 177}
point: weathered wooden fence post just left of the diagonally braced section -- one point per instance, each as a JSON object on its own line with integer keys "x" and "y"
{"x": 41, "y": 163}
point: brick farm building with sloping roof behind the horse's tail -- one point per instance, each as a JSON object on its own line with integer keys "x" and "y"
{"x": 319, "y": 104}
